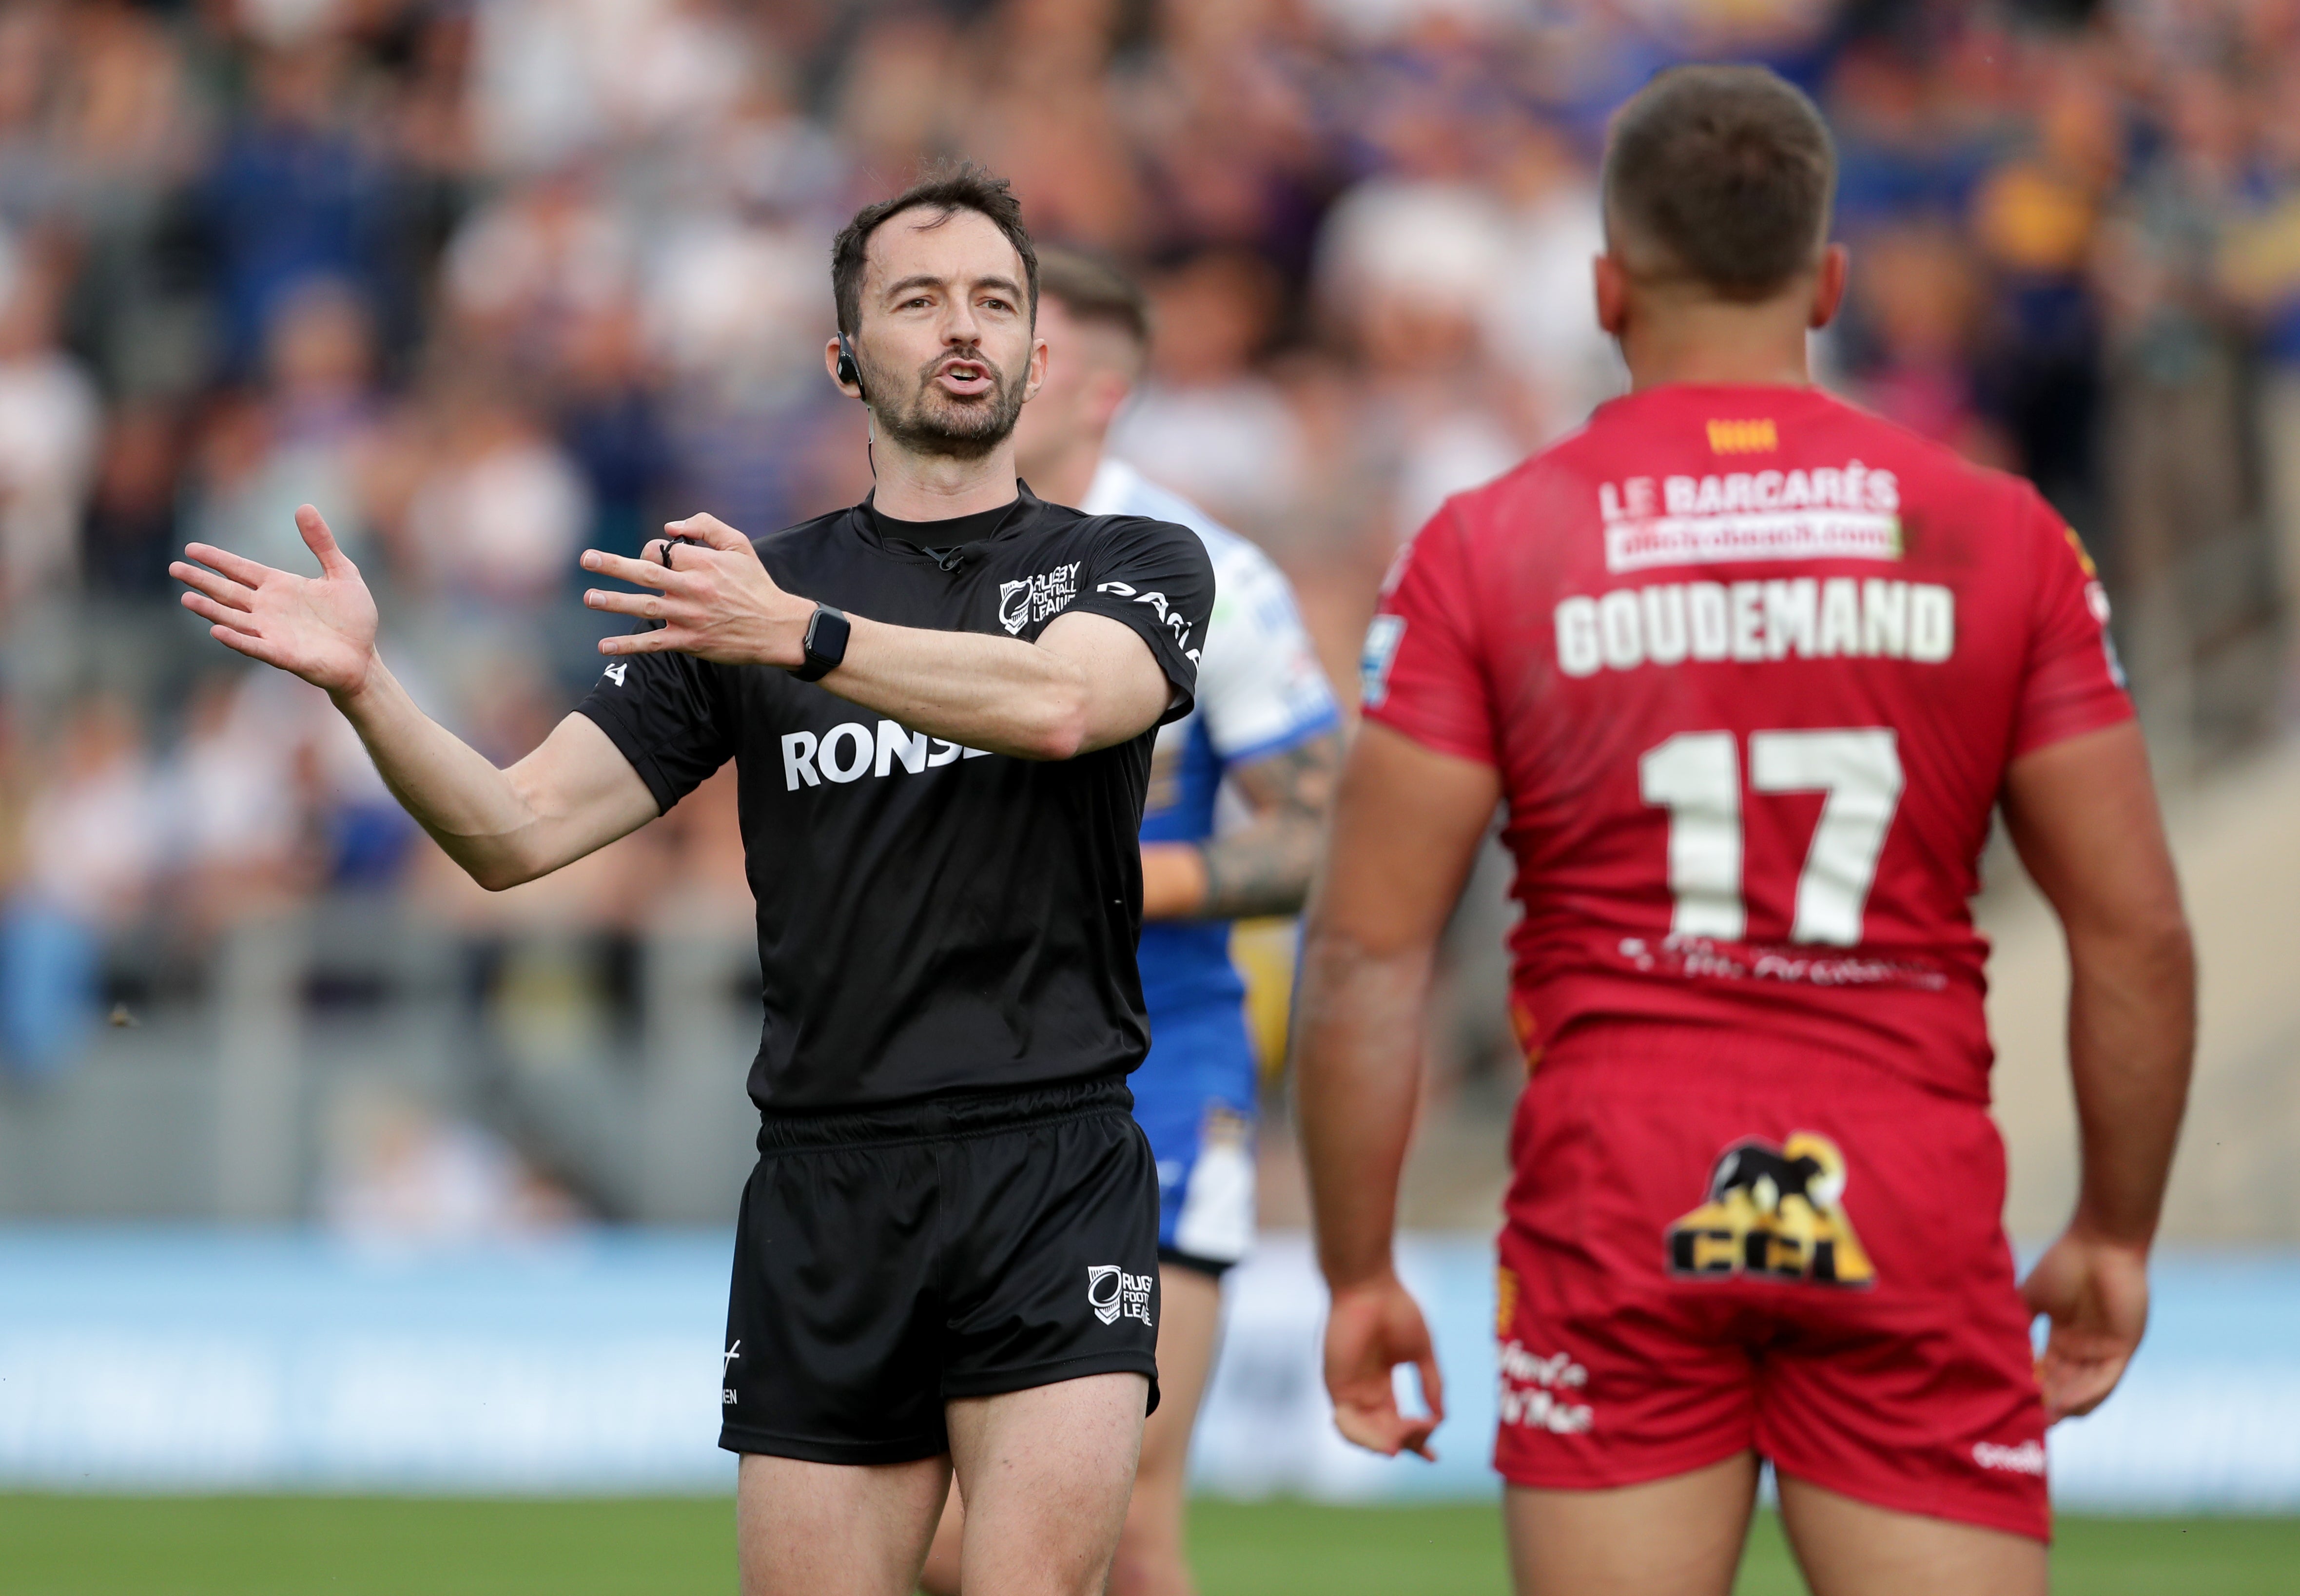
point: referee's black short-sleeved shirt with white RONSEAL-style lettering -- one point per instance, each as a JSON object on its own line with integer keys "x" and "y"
{"x": 930, "y": 919}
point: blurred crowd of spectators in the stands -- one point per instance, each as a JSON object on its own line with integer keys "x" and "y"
{"x": 500, "y": 279}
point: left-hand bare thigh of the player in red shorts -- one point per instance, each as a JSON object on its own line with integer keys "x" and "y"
{"x": 1669, "y": 1537}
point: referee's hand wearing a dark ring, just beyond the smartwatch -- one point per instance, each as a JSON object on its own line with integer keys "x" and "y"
{"x": 712, "y": 597}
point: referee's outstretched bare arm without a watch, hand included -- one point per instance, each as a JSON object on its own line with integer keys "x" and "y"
{"x": 505, "y": 827}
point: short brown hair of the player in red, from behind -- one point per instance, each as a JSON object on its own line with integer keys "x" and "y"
{"x": 1722, "y": 176}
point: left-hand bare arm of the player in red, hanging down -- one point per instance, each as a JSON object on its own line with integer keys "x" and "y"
{"x": 1406, "y": 829}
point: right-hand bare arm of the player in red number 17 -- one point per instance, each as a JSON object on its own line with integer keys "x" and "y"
{"x": 2085, "y": 820}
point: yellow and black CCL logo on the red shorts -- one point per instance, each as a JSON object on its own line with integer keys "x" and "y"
{"x": 1774, "y": 1213}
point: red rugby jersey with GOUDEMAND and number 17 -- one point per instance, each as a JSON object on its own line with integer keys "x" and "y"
{"x": 1751, "y": 666}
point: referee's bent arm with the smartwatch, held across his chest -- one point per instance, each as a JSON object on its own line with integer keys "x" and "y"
{"x": 1089, "y": 682}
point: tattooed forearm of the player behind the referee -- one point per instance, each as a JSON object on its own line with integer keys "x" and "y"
{"x": 1262, "y": 868}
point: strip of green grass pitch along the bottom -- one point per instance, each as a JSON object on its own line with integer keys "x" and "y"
{"x": 385, "y": 1547}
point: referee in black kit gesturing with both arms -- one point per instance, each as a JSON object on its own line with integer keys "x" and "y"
{"x": 942, "y": 707}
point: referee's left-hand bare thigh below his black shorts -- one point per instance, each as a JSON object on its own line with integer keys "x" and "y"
{"x": 836, "y": 1528}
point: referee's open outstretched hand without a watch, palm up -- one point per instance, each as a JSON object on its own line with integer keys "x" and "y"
{"x": 321, "y": 629}
